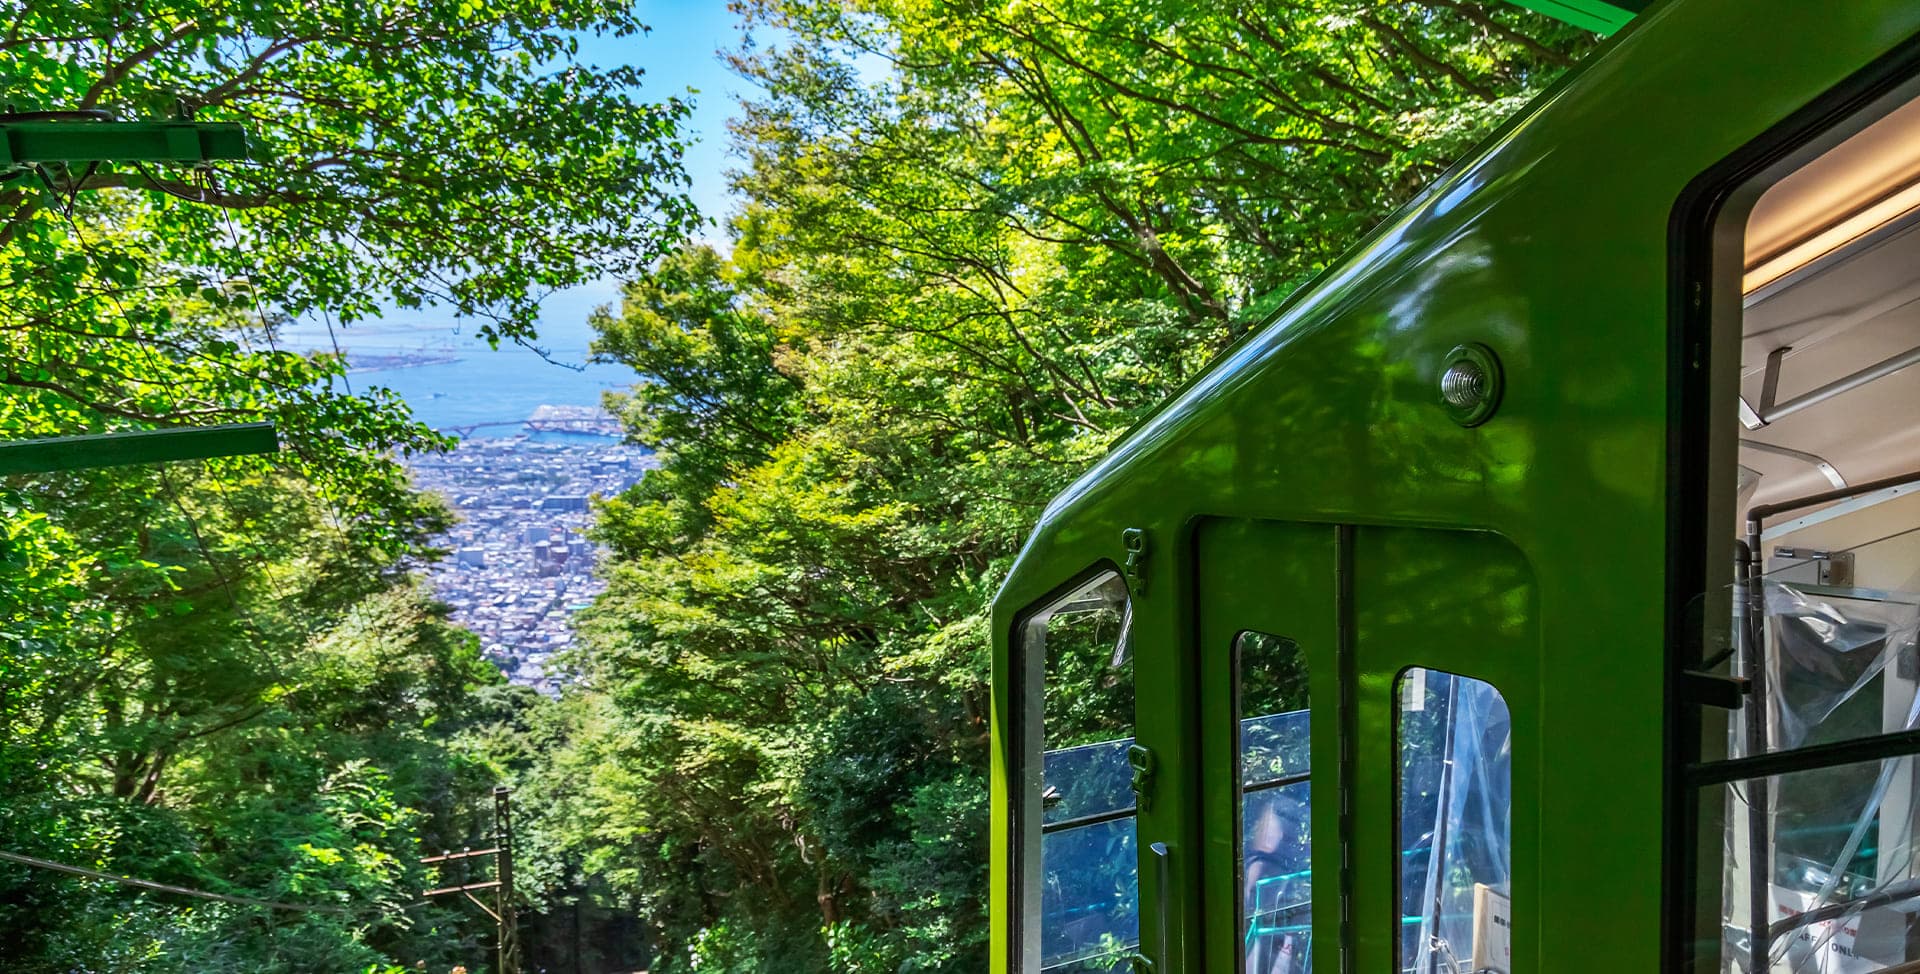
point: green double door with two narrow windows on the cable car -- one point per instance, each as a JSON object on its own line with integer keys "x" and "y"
{"x": 1356, "y": 748}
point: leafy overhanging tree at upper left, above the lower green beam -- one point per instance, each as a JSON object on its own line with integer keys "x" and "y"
{"x": 404, "y": 155}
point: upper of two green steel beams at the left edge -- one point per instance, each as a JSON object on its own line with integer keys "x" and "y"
{"x": 26, "y": 143}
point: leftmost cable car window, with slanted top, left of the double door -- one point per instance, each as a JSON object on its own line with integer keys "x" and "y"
{"x": 1078, "y": 835}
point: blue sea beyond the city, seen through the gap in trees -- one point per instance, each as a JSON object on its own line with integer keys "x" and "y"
{"x": 456, "y": 383}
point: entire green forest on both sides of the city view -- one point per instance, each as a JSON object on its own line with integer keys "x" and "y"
{"x": 972, "y": 245}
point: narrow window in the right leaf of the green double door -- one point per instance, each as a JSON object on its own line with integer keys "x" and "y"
{"x": 1456, "y": 825}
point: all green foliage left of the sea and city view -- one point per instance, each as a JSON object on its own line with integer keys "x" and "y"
{"x": 220, "y": 675}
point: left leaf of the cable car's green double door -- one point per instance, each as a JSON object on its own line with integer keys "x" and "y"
{"x": 1270, "y": 792}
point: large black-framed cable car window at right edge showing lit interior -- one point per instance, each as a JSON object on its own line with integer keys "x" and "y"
{"x": 1812, "y": 479}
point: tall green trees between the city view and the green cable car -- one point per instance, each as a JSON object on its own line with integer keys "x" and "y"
{"x": 976, "y": 245}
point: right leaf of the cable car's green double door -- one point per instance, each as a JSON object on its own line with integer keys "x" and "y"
{"x": 1445, "y": 670}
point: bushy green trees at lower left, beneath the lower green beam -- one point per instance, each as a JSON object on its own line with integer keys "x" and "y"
{"x": 281, "y": 733}
